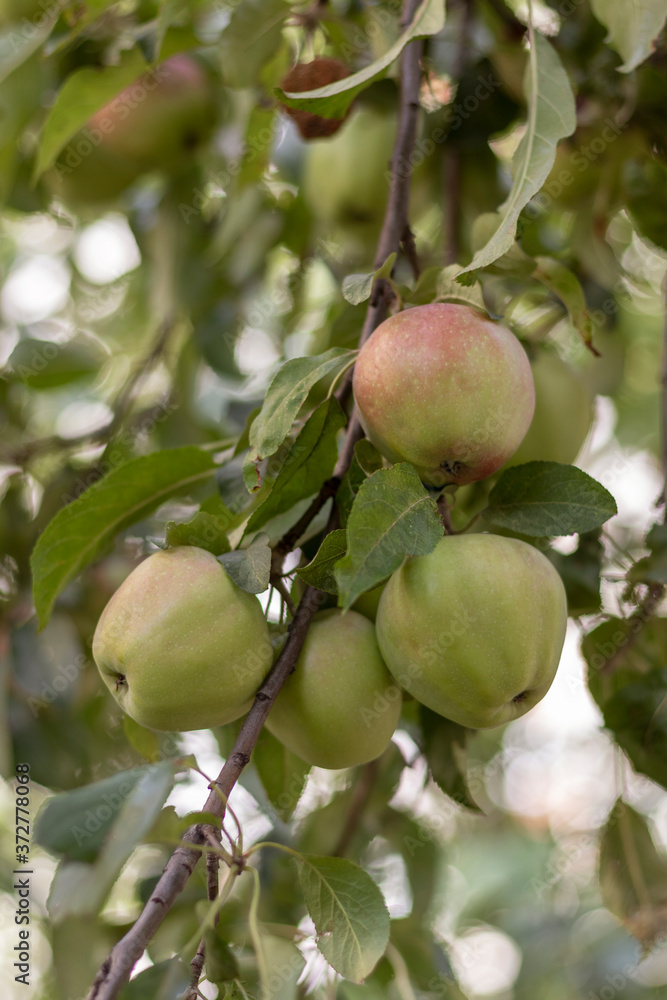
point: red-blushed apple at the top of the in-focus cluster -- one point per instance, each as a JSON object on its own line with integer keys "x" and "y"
{"x": 444, "y": 388}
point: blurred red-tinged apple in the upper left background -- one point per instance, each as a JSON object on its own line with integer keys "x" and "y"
{"x": 155, "y": 123}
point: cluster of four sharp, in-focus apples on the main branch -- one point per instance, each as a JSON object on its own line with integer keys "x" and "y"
{"x": 474, "y": 630}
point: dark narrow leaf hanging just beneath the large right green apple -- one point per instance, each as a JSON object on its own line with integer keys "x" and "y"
{"x": 445, "y": 751}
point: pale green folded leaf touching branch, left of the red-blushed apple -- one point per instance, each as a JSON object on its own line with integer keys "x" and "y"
{"x": 286, "y": 394}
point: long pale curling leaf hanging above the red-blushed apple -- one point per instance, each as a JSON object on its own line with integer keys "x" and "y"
{"x": 551, "y": 117}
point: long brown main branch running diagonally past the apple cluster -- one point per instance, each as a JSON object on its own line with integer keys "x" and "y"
{"x": 117, "y": 967}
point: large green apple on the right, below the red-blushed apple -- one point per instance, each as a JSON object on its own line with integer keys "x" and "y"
{"x": 475, "y": 624}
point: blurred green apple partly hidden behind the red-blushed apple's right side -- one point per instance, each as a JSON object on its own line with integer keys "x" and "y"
{"x": 563, "y": 413}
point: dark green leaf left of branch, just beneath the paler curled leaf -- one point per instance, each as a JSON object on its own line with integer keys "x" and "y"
{"x": 309, "y": 462}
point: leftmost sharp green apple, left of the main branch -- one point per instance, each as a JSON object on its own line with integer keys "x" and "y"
{"x": 192, "y": 647}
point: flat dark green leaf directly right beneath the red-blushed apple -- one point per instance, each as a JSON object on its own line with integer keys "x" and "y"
{"x": 544, "y": 499}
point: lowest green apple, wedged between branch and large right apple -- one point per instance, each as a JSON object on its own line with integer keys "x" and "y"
{"x": 341, "y": 706}
